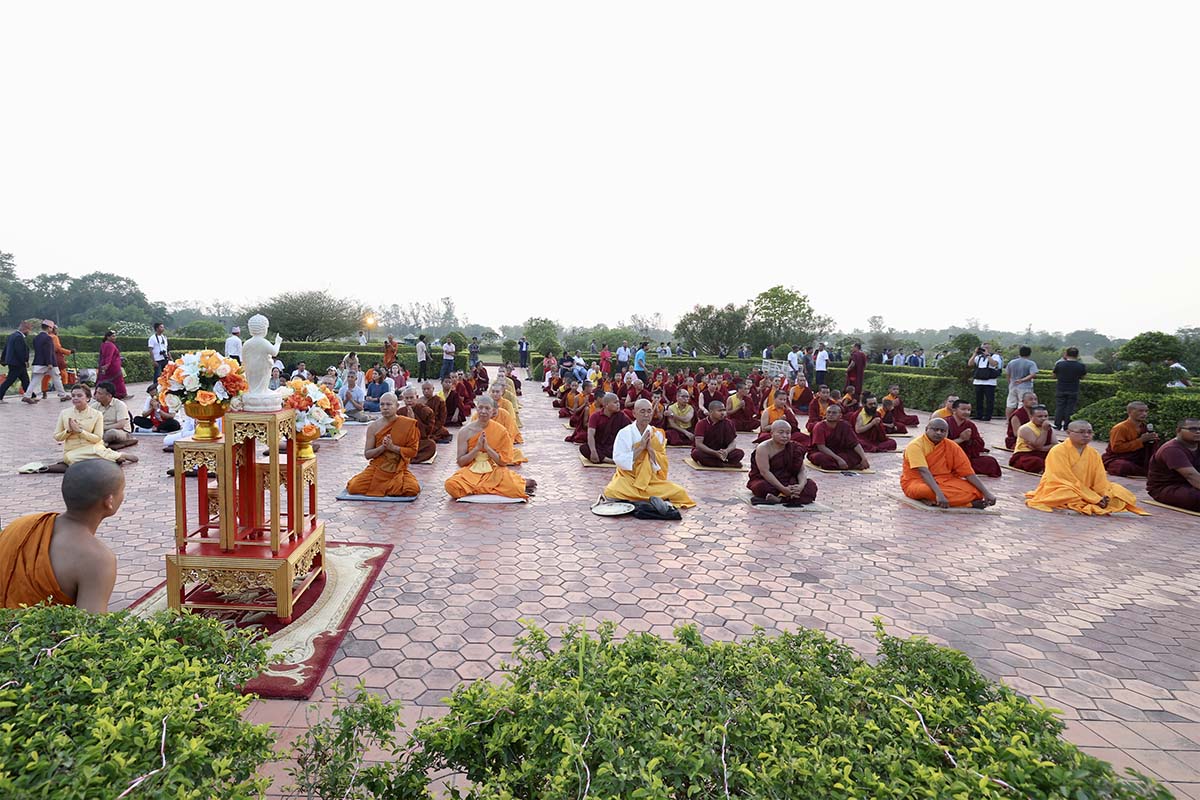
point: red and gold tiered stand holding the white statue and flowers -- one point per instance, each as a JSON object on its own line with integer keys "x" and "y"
{"x": 231, "y": 542}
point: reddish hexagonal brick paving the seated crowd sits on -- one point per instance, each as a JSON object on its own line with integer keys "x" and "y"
{"x": 1099, "y": 617}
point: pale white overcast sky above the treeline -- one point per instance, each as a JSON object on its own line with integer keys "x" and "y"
{"x": 1023, "y": 163}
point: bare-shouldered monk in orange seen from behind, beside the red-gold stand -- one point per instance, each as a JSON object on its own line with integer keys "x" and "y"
{"x": 56, "y": 558}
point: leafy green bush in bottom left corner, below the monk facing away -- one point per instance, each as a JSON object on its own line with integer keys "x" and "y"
{"x": 91, "y": 703}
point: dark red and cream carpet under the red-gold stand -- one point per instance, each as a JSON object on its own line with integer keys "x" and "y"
{"x": 322, "y": 618}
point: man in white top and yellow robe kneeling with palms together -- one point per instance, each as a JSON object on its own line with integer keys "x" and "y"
{"x": 641, "y": 458}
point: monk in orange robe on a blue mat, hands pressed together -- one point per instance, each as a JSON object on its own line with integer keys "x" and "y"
{"x": 392, "y": 443}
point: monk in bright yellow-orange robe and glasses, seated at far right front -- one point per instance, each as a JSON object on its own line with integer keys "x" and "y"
{"x": 1075, "y": 479}
